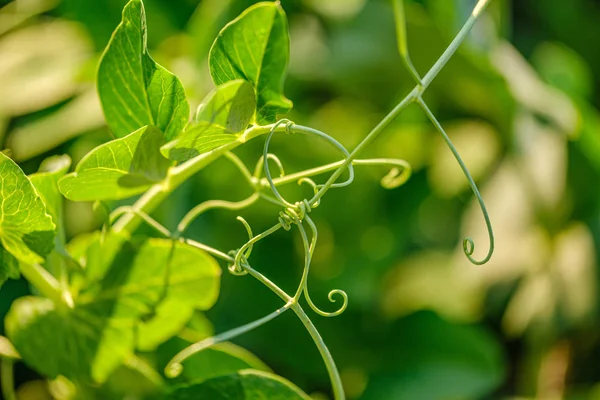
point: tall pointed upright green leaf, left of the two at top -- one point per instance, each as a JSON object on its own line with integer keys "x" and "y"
{"x": 134, "y": 90}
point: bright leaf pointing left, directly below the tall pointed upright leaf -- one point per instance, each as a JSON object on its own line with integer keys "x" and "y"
{"x": 118, "y": 169}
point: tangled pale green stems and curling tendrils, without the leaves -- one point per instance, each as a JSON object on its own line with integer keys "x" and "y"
{"x": 297, "y": 213}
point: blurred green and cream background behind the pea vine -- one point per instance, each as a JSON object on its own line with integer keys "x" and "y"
{"x": 520, "y": 101}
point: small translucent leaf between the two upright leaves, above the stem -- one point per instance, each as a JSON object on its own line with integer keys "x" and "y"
{"x": 223, "y": 115}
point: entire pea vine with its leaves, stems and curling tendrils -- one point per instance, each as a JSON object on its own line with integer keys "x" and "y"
{"x": 109, "y": 293}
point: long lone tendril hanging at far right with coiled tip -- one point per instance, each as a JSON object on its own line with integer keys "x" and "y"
{"x": 468, "y": 243}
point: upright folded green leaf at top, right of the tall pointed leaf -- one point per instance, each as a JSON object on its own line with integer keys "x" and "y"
{"x": 255, "y": 47}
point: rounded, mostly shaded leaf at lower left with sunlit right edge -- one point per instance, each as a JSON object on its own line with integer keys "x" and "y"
{"x": 84, "y": 344}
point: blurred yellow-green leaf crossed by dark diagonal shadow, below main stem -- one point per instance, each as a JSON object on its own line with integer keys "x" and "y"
{"x": 138, "y": 278}
